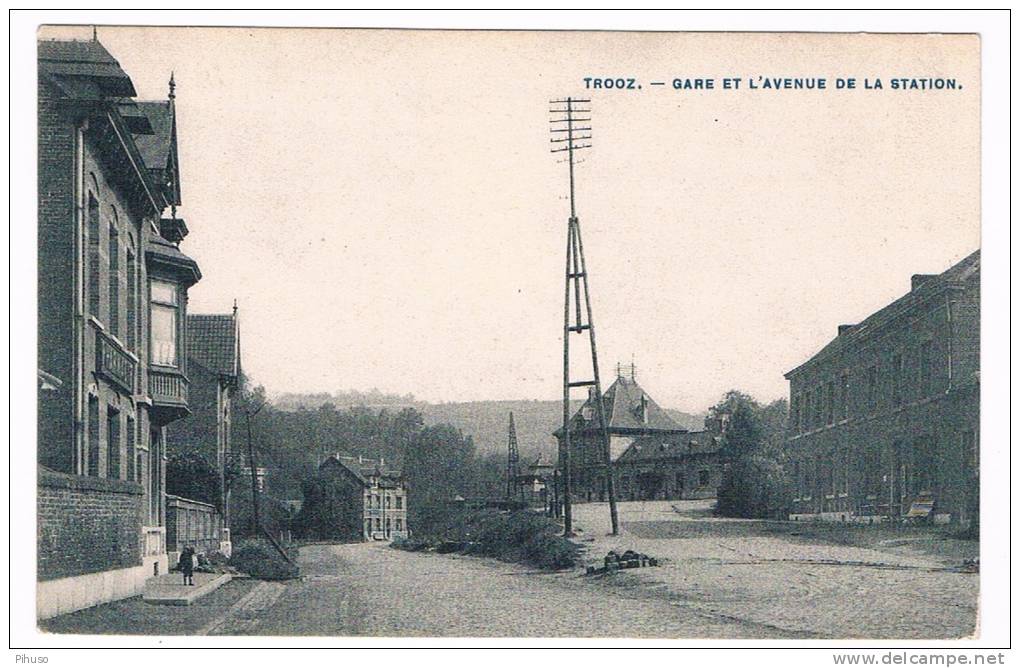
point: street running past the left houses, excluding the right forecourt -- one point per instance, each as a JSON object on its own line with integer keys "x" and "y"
{"x": 372, "y": 590}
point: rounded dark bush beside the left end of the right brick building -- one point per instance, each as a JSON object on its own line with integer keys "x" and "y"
{"x": 754, "y": 487}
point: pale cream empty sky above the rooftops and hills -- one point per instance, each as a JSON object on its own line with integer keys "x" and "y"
{"x": 385, "y": 210}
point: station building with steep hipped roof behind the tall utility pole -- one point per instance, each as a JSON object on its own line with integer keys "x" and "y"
{"x": 653, "y": 456}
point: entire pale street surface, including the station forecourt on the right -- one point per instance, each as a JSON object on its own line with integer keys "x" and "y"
{"x": 721, "y": 579}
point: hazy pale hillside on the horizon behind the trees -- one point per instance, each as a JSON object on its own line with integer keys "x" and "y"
{"x": 486, "y": 422}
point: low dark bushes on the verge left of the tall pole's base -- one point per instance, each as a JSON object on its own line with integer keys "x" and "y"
{"x": 523, "y": 537}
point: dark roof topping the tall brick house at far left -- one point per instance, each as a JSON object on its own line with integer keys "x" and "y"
{"x": 72, "y": 60}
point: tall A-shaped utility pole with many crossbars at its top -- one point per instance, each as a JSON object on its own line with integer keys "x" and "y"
{"x": 572, "y": 130}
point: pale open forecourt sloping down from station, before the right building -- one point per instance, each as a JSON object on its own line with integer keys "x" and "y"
{"x": 811, "y": 581}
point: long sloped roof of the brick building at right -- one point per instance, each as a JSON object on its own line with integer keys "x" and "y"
{"x": 959, "y": 274}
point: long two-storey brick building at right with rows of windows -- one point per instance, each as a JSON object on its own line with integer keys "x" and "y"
{"x": 886, "y": 417}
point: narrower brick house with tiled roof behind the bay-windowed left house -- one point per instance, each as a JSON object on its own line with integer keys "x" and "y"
{"x": 215, "y": 371}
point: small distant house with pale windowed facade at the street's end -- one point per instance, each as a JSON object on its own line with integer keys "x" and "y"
{"x": 375, "y": 505}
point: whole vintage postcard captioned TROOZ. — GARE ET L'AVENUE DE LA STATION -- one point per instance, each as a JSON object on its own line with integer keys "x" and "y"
{"x": 436, "y": 334}
